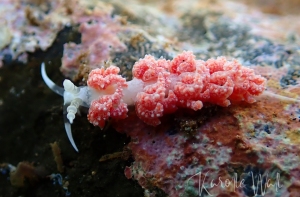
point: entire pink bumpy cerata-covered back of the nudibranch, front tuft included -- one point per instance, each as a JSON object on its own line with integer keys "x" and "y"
{"x": 162, "y": 86}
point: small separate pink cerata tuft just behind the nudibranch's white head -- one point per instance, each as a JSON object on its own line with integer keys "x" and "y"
{"x": 109, "y": 86}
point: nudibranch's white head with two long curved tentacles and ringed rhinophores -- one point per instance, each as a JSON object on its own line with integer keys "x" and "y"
{"x": 73, "y": 98}
